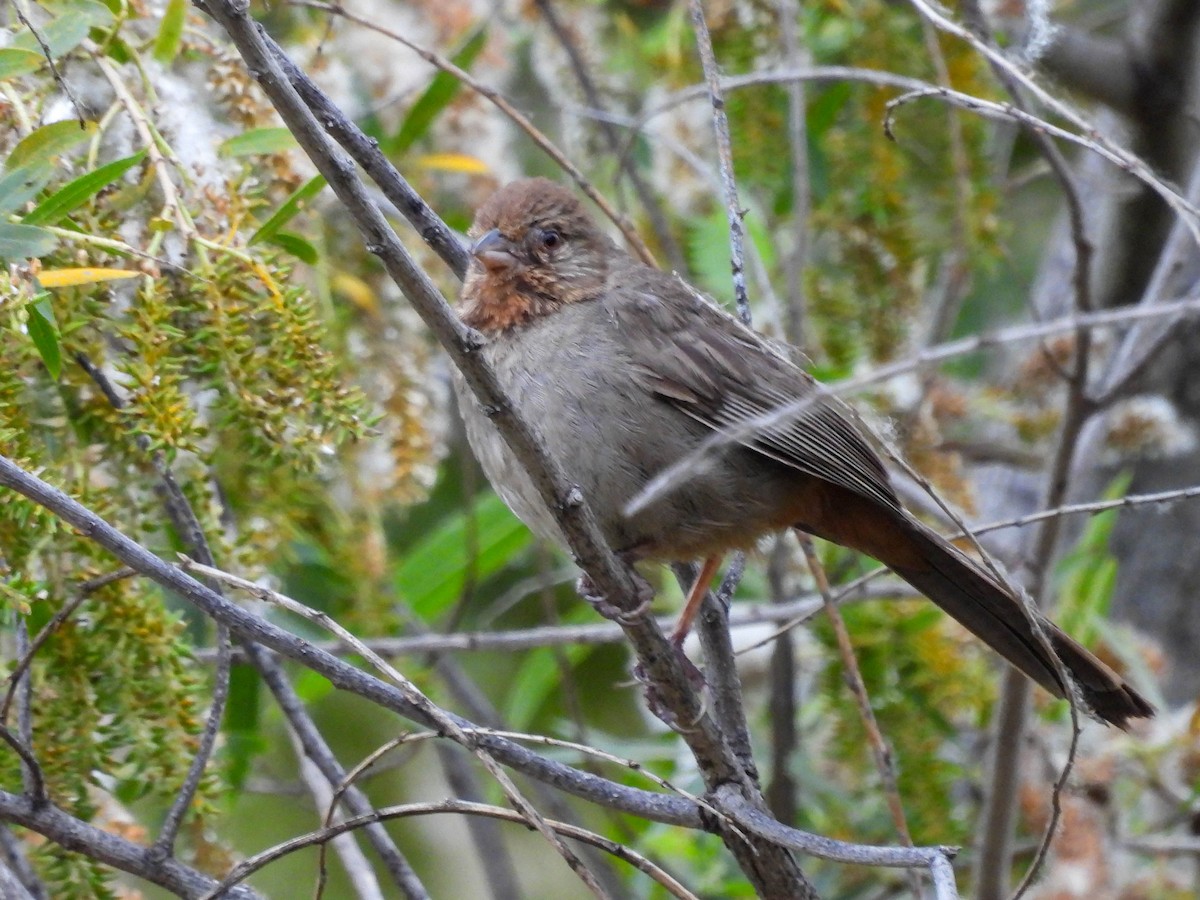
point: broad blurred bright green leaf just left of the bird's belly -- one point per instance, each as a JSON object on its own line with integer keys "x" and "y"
{"x": 434, "y": 574}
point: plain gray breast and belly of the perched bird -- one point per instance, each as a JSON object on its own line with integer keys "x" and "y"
{"x": 568, "y": 376}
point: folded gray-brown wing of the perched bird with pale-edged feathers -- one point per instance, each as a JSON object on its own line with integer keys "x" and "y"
{"x": 713, "y": 369}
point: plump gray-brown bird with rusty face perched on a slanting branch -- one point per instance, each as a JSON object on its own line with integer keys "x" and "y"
{"x": 625, "y": 371}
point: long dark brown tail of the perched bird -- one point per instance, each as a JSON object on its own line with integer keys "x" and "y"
{"x": 991, "y": 611}
